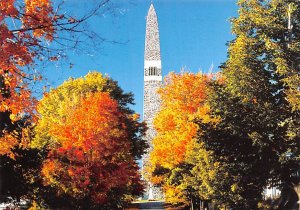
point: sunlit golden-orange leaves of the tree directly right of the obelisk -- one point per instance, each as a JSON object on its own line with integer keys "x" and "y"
{"x": 183, "y": 101}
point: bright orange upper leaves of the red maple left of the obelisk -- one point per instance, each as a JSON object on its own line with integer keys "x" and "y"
{"x": 95, "y": 123}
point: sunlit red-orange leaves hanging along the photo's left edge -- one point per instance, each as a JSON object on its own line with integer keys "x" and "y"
{"x": 19, "y": 42}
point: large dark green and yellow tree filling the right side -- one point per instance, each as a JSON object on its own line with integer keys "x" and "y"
{"x": 257, "y": 140}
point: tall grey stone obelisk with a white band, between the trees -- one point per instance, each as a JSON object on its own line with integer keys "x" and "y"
{"x": 152, "y": 81}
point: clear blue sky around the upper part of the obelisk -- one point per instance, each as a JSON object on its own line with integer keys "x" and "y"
{"x": 193, "y": 35}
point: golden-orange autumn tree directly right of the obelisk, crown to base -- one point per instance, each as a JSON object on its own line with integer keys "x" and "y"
{"x": 183, "y": 101}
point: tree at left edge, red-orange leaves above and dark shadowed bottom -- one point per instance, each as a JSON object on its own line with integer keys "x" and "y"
{"x": 16, "y": 103}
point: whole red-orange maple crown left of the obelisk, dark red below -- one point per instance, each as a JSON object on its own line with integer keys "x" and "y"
{"x": 92, "y": 154}
